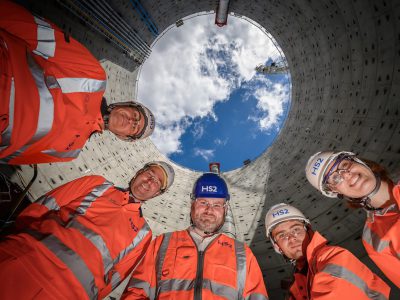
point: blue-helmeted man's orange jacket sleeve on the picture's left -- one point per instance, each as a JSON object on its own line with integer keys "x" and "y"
{"x": 142, "y": 284}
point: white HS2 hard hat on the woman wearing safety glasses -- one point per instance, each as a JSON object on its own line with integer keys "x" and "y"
{"x": 317, "y": 166}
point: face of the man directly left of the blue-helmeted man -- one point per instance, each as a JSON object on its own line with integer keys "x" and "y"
{"x": 148, "y": 183}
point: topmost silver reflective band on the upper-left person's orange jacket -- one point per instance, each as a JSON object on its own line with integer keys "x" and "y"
{"x": 46, "y": 46}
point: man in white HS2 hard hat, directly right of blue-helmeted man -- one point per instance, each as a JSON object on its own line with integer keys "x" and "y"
{"x": 321, "y": 271}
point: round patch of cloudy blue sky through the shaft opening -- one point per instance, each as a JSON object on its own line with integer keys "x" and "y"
{"x": 209, "y": 102}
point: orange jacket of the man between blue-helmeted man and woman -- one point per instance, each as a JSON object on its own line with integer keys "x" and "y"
{"x": 335, "y": 273}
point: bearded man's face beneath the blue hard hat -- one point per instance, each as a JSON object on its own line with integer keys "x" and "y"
{"x": 208, "y": 214}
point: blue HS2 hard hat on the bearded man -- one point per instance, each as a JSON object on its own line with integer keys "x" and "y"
{"x": 210, "y": 185}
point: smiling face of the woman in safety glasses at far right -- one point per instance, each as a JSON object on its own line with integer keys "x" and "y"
{"x": 358, "y": 181}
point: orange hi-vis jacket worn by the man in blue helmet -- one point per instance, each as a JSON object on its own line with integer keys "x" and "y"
{"x": 173, "y": 268}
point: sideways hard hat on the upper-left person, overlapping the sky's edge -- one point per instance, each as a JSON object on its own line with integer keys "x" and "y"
{"x": 149, "y": 120}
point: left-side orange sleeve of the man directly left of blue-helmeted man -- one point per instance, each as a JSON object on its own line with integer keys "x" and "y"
{"x": 70, "y": 193}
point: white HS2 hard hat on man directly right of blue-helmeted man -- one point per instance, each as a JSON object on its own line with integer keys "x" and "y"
{"x": 282, "y": 212}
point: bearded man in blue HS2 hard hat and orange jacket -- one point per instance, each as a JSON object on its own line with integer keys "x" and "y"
{"x": 199, "y": 262}
